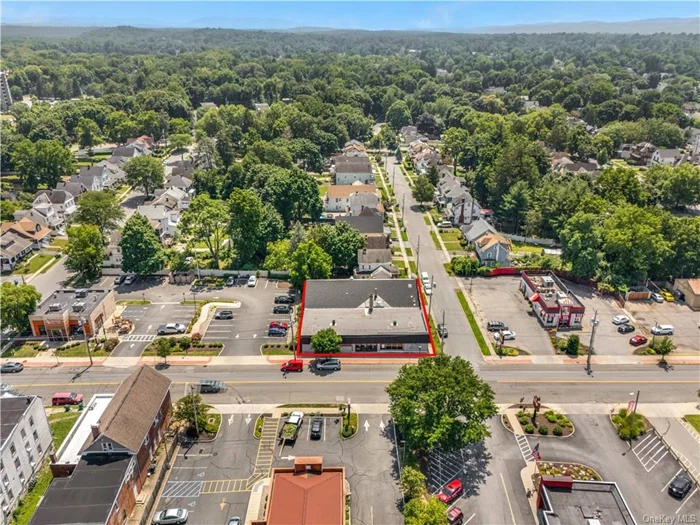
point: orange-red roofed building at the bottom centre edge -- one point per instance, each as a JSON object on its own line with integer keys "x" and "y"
{"x": 307, "y": 494}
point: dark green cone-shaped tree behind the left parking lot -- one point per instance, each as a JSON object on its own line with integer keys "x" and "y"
{"x": 142, "y": 252}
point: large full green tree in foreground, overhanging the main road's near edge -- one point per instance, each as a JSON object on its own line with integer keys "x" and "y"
{"x": 440, "y": 402}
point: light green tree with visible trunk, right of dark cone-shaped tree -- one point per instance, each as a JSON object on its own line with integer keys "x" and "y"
{"x": 206, "y": 220}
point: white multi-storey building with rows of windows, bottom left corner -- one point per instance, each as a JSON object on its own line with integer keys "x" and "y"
{"x": 24, "y": 443}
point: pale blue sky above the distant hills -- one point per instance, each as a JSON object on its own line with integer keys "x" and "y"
{"x": 392, "y": 15}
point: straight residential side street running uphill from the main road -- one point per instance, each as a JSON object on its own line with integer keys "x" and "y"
{"x": 461, "y": 340}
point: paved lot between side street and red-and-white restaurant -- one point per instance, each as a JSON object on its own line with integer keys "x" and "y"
{"x": 499, "y": 299}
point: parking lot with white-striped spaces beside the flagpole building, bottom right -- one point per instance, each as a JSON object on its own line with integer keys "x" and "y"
{"x": 642, "y": 473}
